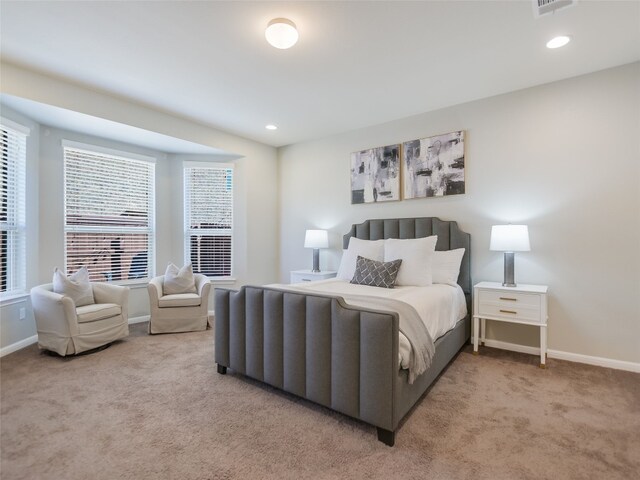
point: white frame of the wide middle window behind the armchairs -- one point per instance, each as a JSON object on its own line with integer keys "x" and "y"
{"x": 149, "y": 230}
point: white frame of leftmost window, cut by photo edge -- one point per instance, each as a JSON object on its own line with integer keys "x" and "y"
{"x": 16, "y": 211}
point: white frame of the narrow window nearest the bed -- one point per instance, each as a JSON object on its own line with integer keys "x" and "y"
{"x": 188, "y": 231}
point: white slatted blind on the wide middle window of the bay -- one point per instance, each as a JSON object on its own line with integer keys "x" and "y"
{"x": 109, "y": 215}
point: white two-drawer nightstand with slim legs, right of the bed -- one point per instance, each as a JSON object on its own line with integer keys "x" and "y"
{"x": 526, "y": 304}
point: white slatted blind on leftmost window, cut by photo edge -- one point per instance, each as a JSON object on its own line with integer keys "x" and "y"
{"x": 12, "y": 212}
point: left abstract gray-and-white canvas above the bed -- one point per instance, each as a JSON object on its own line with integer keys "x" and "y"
{"x": 375, "y": 175}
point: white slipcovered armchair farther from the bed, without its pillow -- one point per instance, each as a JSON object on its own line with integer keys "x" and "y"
{"x": 67, "y": 330}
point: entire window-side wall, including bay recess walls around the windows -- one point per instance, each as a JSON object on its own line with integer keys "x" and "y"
{"x": 255, "y": 182}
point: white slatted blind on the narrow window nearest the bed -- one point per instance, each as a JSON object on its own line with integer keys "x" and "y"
{"x": 208, "y": 203}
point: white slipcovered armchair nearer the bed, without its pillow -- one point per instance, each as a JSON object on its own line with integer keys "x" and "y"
{"x": 182, "y": 312}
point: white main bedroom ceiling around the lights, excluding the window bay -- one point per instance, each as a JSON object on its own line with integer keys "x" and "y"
{"x": 356, "y": 64}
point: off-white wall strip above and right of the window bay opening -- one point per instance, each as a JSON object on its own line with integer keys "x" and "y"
{"x": 256, "y": 172}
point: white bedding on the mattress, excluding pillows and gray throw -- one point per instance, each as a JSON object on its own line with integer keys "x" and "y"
{"x": 440, "y": 306}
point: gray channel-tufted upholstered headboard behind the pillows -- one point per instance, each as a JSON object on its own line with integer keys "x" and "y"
{"x": 449, "y": 234}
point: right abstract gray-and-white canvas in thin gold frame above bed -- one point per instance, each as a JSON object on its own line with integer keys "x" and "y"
{"x": 434, "y": 166}
